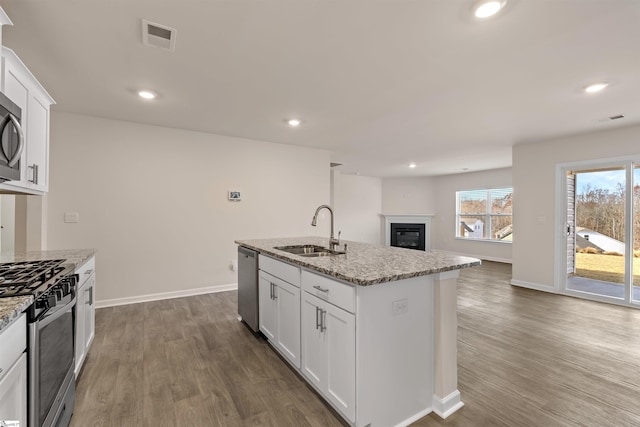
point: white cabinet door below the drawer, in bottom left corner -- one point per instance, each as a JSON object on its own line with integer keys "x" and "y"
{"x": 13, "y": 392}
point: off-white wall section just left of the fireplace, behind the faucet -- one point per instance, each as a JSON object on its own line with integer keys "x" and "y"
{"x": 357, "y": 202}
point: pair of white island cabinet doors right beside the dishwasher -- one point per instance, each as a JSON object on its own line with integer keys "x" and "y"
{"x": 280, "y": 315}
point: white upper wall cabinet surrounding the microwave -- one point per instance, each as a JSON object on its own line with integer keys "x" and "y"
{"x": 22, "y": 88}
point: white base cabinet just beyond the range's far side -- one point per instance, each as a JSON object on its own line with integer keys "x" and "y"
{"x": 85, "y": 312}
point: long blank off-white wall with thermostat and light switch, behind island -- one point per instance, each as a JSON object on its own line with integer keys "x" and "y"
{"x": 153, "y": 200}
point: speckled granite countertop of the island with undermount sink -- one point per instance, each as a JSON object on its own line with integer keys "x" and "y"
{"x": 365, "y": 264}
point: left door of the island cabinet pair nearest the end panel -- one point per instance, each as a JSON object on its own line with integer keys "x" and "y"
{"x": 313, "y": 351}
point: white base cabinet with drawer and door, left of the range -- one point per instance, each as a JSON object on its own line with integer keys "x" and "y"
{"x": 13, "y": 372}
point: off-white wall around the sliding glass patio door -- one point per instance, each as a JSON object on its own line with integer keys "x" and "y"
{"x": 534, "y": 168}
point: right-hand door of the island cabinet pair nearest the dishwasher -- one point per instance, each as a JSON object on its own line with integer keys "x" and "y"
{"x": 288, "y": 331}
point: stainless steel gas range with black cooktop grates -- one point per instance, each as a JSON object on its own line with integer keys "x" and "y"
{"x": 50, "y": 346}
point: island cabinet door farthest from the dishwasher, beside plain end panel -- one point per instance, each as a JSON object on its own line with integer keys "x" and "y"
{"x": 341, "y": 360}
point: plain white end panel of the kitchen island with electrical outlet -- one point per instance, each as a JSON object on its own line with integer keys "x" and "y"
{"x": 394, "y": 352}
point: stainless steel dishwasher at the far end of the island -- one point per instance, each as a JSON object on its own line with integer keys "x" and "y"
{"x": 248, "y": 287}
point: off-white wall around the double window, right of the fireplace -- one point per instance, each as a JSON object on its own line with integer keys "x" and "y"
{"x": 444, "y": 223}
